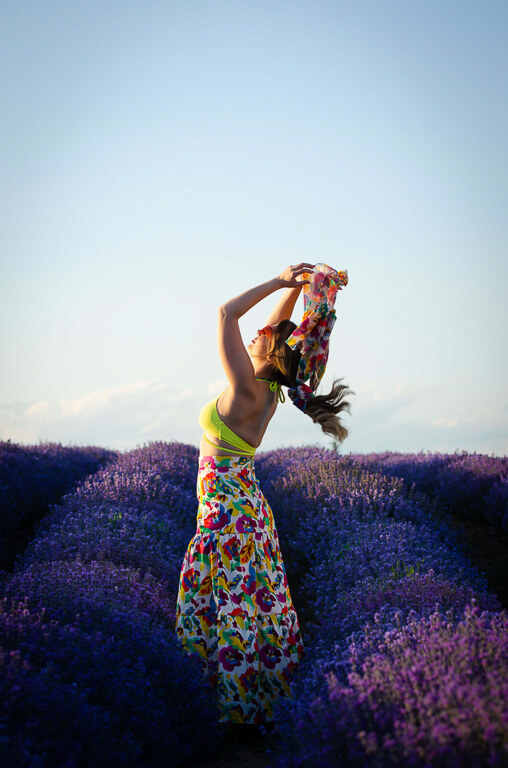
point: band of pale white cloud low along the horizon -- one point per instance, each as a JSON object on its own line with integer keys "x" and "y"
{"x": 402, "y": 418}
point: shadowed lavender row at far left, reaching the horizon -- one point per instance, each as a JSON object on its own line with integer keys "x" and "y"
{"x": 34, "y": 476}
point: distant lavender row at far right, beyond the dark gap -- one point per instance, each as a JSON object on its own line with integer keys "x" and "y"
{"x": 471, "y": 485}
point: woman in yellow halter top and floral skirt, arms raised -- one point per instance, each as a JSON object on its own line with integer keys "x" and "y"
{"x": 234, "y": 607}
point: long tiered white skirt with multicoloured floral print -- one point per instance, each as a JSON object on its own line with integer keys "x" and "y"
{"x": 234, "y": 609}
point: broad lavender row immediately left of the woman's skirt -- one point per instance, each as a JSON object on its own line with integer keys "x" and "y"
{"x": 92, "y": 673}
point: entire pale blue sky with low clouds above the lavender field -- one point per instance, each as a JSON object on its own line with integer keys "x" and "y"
{"x": 158, "y": 158}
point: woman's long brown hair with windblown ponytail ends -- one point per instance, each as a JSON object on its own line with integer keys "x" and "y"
{"x": 322, "y": 409}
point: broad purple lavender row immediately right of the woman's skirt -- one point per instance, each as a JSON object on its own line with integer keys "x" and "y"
{"x": 406, "y": 651}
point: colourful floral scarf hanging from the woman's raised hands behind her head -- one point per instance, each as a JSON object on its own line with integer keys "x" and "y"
{"x": 312, "y": 336}
